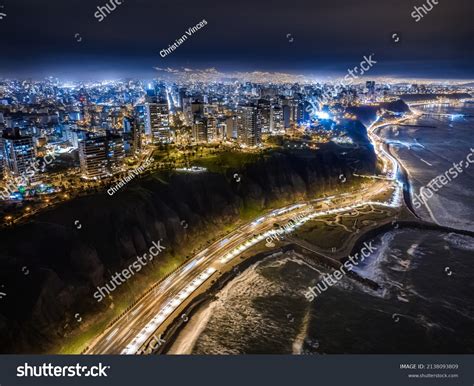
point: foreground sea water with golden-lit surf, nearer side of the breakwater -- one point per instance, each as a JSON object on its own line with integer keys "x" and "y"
{"x": 425, "y": 304}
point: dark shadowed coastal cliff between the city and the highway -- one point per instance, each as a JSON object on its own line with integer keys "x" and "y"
{"x": 66, "y": 264}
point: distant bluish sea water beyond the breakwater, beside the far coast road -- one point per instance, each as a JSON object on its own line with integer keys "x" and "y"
{"x": 429, "y": 151}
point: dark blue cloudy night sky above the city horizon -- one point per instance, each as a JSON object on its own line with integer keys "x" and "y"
{"x": 38, "y": 37}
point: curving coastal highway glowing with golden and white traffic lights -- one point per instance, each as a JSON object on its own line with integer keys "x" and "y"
{"x": 139, "y": 330}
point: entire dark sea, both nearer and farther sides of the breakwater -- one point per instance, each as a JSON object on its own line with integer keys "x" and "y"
{"x": 426, "y": 300}
